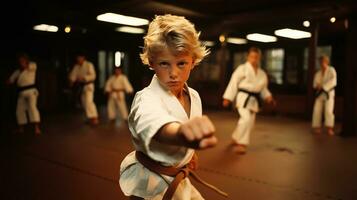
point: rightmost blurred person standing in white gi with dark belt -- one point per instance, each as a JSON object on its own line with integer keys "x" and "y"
{"x": 325, "y": 81}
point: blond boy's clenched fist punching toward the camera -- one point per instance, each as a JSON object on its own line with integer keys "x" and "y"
{"x": 198, "y": 133}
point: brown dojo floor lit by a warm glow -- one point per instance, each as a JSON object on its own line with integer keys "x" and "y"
{"x": 73, "y": 160}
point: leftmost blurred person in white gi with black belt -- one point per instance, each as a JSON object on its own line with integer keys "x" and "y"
{"x": 27, "y": 96}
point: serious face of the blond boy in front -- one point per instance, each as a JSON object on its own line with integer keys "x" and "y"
{"x": 172, "y": 70}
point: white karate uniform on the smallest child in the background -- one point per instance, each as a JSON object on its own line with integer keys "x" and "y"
{"x": 116, "y": 86}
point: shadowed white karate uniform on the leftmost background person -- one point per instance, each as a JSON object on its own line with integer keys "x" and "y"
{"x": 27, "y": 98}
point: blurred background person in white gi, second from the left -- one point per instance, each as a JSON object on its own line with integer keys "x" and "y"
{"x": 83, "y": 75}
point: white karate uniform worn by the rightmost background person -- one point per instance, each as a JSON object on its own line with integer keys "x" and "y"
{"x": 326, "y": 100}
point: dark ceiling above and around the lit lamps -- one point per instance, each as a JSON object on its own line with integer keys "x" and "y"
{"x": 212, "y": 17}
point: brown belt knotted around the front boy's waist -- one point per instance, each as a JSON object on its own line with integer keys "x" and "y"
{"x": 178, "y": 173}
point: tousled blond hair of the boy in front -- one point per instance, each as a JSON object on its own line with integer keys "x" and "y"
{"x": 174, "y": 33}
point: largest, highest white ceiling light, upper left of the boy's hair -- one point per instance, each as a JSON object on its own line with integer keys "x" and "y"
{"x": 122, "y": 19}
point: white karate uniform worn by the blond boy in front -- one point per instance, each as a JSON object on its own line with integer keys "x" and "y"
{"x": 152, "y": 108}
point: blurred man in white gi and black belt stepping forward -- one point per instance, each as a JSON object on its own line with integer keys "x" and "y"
{"x": 248, "y": 86}
